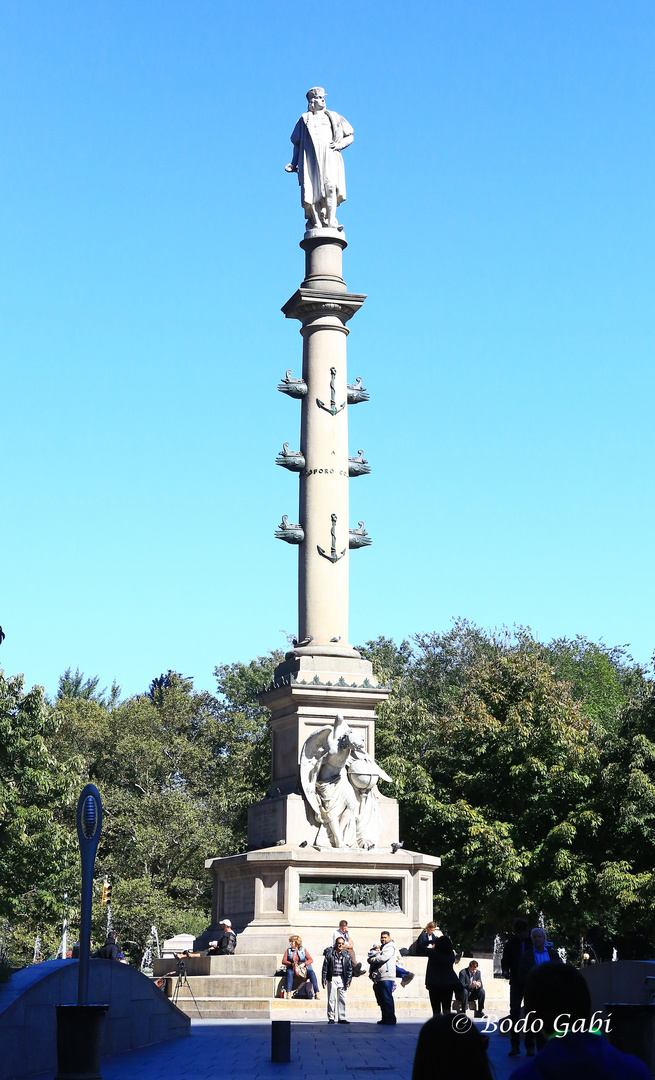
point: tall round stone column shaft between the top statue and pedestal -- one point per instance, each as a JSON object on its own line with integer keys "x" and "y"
{"x": 324, "y": 306}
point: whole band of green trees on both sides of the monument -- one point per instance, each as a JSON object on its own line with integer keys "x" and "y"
{"x": 528, "y": 767}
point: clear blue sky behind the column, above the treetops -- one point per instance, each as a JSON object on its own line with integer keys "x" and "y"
{"x": 500, "y": 217}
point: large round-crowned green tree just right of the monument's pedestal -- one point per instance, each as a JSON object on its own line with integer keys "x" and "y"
{"x": 503, "y": 794}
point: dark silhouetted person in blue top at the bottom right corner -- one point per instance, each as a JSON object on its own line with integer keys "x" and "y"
{"x": 558, "y": 996}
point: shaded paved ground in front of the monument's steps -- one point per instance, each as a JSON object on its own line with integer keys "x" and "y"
{"x": 239, "y": 1049}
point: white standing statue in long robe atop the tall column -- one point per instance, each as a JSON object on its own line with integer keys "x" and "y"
{"x": 318, "y": 140}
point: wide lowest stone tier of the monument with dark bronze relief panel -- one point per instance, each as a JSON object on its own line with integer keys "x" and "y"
{"x": 274, "y": 893}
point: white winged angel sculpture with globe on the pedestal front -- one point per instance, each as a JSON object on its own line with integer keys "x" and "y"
{"x": 340, "y": 781}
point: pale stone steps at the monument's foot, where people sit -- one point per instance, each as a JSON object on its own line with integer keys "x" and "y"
{"x": 245, "y": 988}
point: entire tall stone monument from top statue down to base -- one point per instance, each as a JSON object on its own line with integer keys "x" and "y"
{"x": 325, "y": 843}
